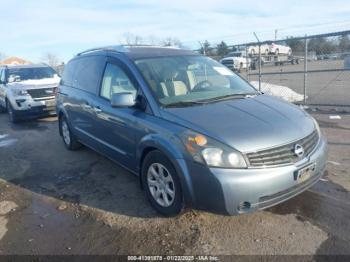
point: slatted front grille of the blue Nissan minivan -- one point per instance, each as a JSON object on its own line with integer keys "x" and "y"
{"x": 283, "y": 154}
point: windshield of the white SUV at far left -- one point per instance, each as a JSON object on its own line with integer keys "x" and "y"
{"x": 32, "y": 73}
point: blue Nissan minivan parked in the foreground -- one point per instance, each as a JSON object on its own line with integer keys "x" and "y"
{"x": 195, "y": 133}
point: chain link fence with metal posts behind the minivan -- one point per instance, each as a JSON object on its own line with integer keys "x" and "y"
{"x": 310, "y": 70}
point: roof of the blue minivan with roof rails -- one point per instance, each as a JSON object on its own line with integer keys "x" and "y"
{"x": 141, "y": 51}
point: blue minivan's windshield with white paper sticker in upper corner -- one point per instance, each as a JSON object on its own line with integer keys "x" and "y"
{"x": 184, "y": 80}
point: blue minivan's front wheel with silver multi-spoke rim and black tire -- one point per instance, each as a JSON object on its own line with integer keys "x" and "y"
{"x": 158, "y": 187}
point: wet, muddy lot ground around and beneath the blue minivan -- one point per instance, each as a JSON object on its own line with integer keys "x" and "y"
{"x": 53, "y": 201}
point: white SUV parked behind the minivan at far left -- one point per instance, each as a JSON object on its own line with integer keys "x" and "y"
{"x": 28, "y": 91}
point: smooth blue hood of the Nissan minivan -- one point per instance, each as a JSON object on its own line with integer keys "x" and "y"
{"x": 248, "y": 124}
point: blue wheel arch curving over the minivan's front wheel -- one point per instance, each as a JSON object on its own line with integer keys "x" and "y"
{"x": 172, "y": 147}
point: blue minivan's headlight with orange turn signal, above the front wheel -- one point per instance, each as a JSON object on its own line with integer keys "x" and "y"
{"x": 210, "y": 152}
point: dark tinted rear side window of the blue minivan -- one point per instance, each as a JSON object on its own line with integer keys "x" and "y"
{"x": 88, "y": 73}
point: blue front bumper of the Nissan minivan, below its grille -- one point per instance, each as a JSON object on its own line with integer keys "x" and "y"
{"x": 235, "y": 191}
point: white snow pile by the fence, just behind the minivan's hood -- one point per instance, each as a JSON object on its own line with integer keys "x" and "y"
{"x": 279, "y": 91}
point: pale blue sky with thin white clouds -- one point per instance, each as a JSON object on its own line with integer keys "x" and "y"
{"x": 31, "y": 28}
